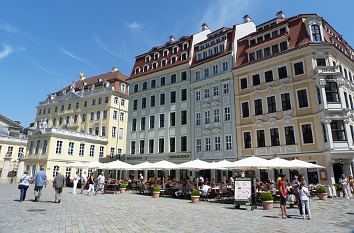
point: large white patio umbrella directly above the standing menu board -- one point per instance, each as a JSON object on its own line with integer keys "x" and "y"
{"x": 252, "y": 162}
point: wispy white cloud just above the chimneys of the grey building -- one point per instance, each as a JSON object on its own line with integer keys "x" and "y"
{"x": 221, "y": 13}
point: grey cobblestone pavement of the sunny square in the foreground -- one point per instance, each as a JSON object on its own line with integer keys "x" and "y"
{"x": 129, "y": 212}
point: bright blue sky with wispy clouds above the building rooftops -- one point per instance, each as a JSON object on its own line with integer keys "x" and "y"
{"x": 44, "y": 45}
